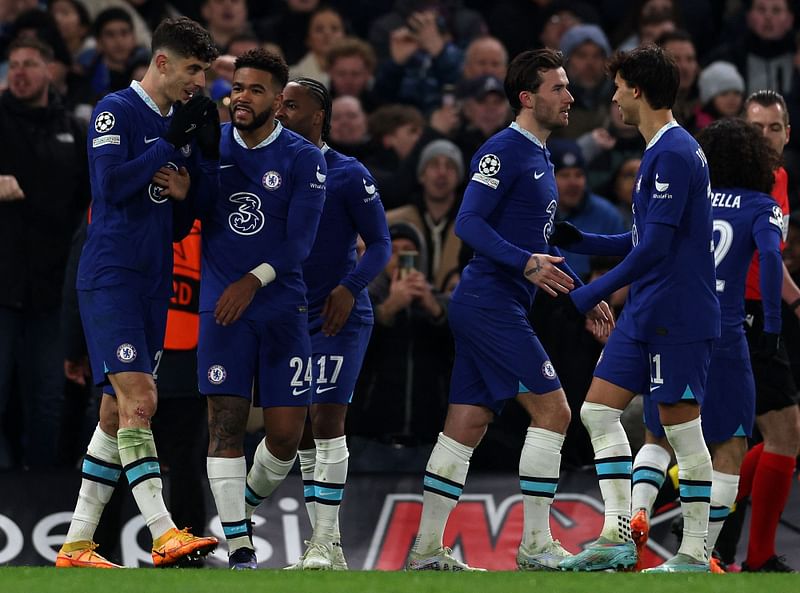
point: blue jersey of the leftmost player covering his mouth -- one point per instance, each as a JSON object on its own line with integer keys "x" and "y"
{"x": 129, "y": 238}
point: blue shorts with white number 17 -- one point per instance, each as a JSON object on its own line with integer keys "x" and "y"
{"x": 337, "y": 362}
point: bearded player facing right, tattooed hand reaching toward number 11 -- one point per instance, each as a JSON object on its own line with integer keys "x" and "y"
{"x": 507, "y": 217}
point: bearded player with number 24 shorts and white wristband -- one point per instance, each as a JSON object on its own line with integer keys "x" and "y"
{"x": 254, "y": 342}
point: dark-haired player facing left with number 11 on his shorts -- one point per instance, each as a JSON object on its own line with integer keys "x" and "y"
{"x": 662, "y": 343}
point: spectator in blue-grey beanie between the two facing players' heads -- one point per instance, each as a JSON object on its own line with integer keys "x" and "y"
{"x": 586, "y": 49}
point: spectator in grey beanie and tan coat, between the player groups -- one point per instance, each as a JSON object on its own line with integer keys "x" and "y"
{"x": 440, "y": 172}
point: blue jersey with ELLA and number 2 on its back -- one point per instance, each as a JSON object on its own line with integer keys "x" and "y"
{"x": 739, "y": 215}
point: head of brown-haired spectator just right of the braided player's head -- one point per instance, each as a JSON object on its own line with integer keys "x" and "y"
{"x": 351, "y": 67}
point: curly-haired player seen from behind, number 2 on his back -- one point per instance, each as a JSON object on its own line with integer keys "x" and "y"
{"x": 746, "y": 218}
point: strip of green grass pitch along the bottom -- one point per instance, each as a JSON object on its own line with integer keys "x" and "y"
{"x": 46, "y": 580}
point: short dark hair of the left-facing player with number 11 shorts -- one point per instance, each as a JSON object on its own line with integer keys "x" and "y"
{"x": 652, "y": 70}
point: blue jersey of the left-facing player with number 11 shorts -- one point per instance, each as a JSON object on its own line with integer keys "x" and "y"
{"x": 674, "y": 301}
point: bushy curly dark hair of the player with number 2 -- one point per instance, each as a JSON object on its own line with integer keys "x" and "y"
{"x": 739, "y": 156}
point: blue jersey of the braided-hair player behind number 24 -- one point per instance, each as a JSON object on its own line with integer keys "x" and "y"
{"x": 352, "y": 207}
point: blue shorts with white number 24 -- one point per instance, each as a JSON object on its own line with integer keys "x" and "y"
{"x": 266, "y": 360}
